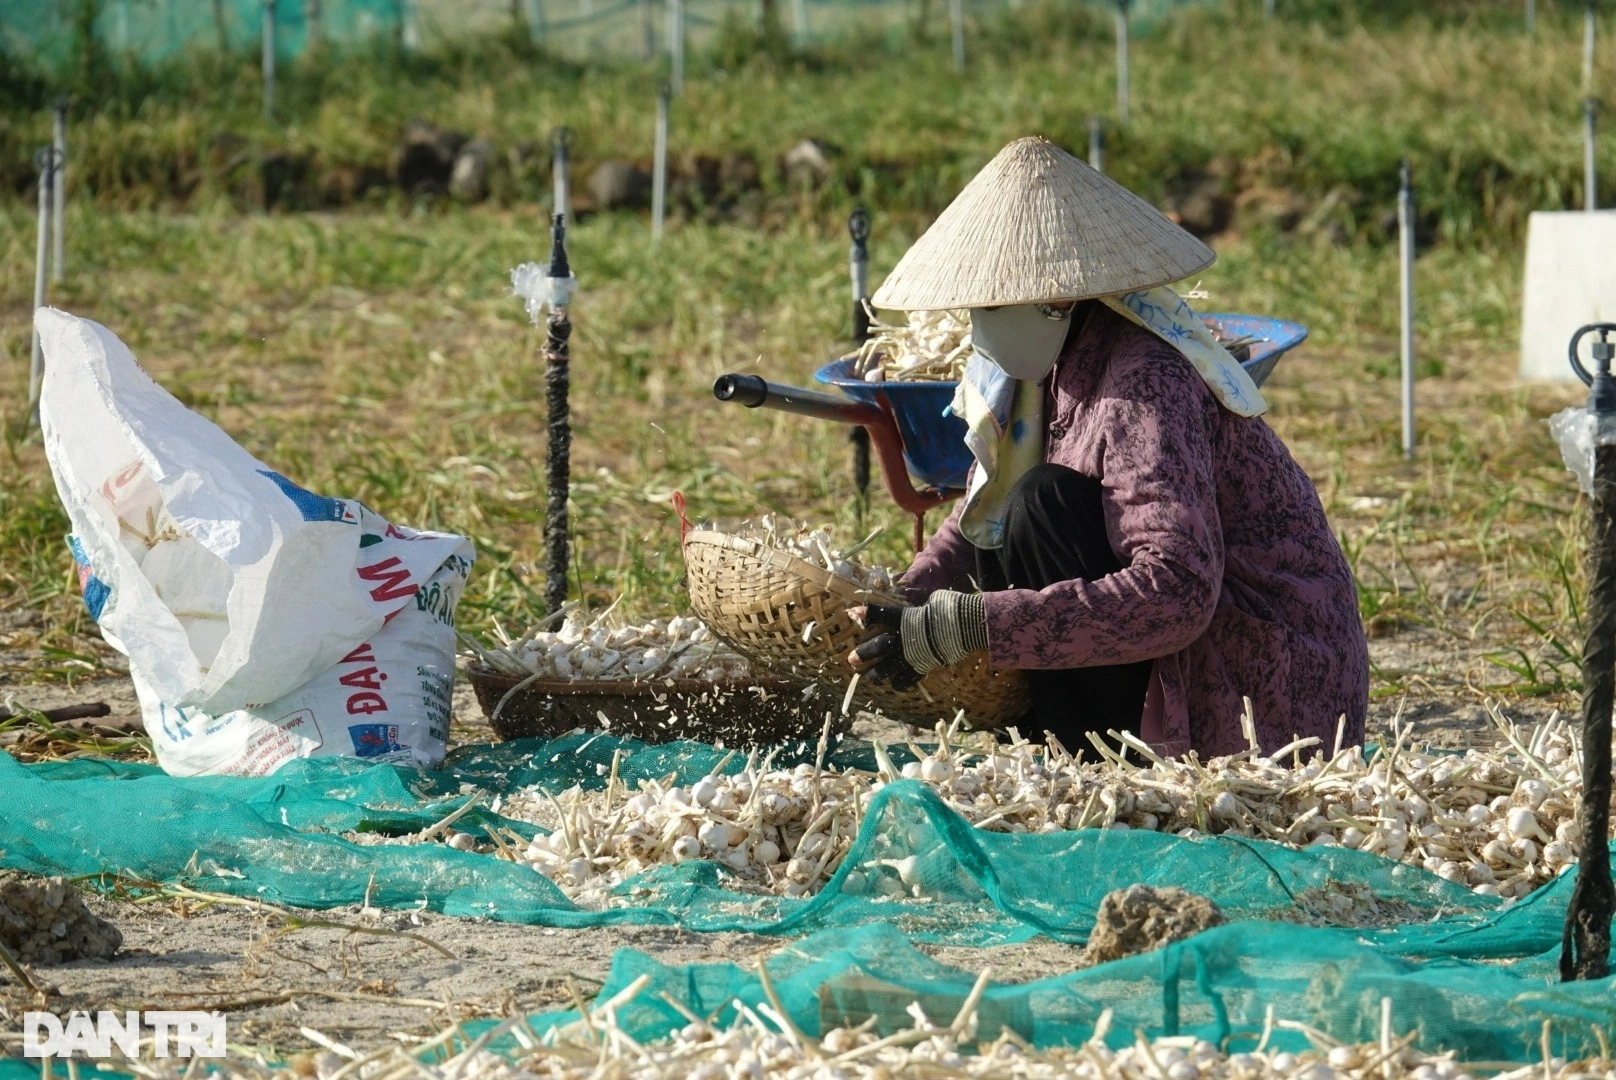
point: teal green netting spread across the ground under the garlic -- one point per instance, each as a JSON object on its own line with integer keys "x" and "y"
{"x": 1468, "y": 972}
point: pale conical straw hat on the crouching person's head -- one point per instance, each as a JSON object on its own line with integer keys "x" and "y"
{"x": 1038, "y": 226}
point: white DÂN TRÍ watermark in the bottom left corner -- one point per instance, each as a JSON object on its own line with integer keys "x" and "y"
{"x": 174, "y": 1034}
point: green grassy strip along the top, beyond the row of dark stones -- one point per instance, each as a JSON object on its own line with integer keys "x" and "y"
{"x": 1302, "y": 122}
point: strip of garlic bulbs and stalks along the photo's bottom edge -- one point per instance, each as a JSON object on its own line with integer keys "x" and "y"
{"x": 764, "y": 1042}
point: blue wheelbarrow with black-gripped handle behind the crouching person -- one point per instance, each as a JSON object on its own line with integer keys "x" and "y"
{"x": 919, "y": 444}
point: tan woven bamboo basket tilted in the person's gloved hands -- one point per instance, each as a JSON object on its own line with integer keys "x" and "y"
{"x": 762, "y": 602}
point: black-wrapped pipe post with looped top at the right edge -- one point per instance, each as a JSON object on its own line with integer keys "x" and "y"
{"x": 1586, "y": 942}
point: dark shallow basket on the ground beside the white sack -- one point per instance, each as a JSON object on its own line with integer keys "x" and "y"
{"x": 738, "y": 714}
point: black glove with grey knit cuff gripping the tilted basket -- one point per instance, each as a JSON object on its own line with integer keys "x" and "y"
{"x": 943, "y": 631}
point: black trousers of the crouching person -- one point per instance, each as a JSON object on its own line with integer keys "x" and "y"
{"x": 1056, "y": 533}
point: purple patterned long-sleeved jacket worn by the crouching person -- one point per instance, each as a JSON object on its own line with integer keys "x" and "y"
{"x": 1232, "y": 580}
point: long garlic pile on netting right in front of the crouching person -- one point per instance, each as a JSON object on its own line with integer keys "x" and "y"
{"x": 1499, "y": 822}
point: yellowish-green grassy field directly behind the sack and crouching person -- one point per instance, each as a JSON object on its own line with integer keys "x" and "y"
{"x": 382, "y": 358}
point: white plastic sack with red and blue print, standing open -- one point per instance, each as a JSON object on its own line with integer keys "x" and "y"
{"x": 261, "y": 622}
